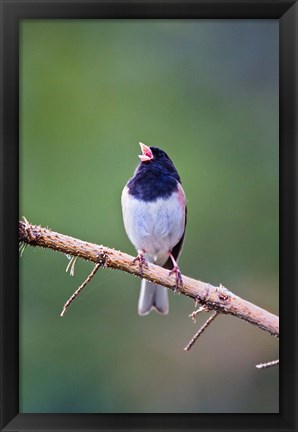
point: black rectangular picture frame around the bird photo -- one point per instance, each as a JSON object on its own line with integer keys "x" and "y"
{"x": 11, "y": 14}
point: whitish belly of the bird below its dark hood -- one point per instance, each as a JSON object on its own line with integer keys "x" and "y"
{"x": 154, "y": 227}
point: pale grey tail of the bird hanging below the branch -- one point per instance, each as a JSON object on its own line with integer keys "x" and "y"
{"x": 153, "y": 296}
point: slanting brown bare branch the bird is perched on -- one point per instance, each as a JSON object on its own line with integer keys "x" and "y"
{"x": 215, "y": 298}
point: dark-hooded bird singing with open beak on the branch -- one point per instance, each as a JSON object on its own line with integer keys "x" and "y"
{"x": 154, "y": 214}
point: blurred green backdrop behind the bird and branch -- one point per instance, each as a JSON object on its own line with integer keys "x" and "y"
{"x": 207, "y": 93}
